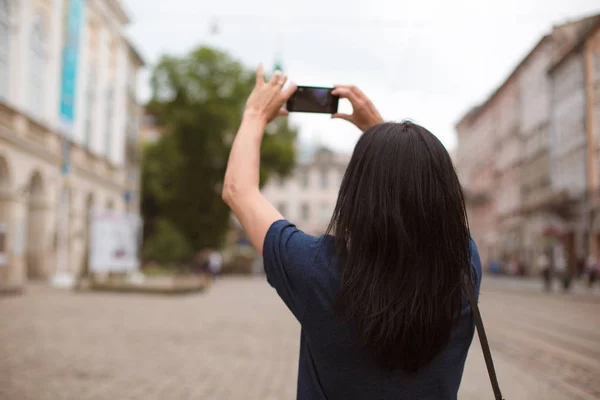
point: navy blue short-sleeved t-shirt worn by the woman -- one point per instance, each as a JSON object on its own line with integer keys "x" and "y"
{"x": 303, "y": 270}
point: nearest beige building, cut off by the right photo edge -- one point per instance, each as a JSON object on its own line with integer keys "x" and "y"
{"x": 575, "y": 110}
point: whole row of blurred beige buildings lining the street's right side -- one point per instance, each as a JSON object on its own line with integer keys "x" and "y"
{"x": 543, "y": 156}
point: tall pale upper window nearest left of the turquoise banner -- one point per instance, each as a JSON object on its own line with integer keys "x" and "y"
{"x": 37, "y": 66}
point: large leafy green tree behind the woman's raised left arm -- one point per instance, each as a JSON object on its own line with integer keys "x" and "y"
{"x": 199, "y": 100}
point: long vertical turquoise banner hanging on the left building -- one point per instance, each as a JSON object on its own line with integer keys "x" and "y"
{"x": 69, "y": 65}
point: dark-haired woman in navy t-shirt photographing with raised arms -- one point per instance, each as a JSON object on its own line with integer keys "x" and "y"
{"x": 381, "y": 300}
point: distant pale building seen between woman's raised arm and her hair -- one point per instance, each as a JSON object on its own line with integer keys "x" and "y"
{"x": 308, "y": 196}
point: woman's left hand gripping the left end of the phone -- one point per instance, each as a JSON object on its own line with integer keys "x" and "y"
{"x": 267, "y": 99}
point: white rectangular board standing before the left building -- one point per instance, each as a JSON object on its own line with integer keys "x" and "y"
{"x": 114, "y": 242}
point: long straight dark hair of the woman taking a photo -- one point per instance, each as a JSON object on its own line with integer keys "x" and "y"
{"x": 402, "y": 236}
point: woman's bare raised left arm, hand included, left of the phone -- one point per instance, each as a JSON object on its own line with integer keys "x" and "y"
{"x": 240, "y": 188}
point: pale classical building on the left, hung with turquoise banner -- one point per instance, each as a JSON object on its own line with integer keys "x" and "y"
{"x": 68, "y": 110}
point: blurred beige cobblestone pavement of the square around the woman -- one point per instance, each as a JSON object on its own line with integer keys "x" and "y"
{"x": 237, "y": 341}
